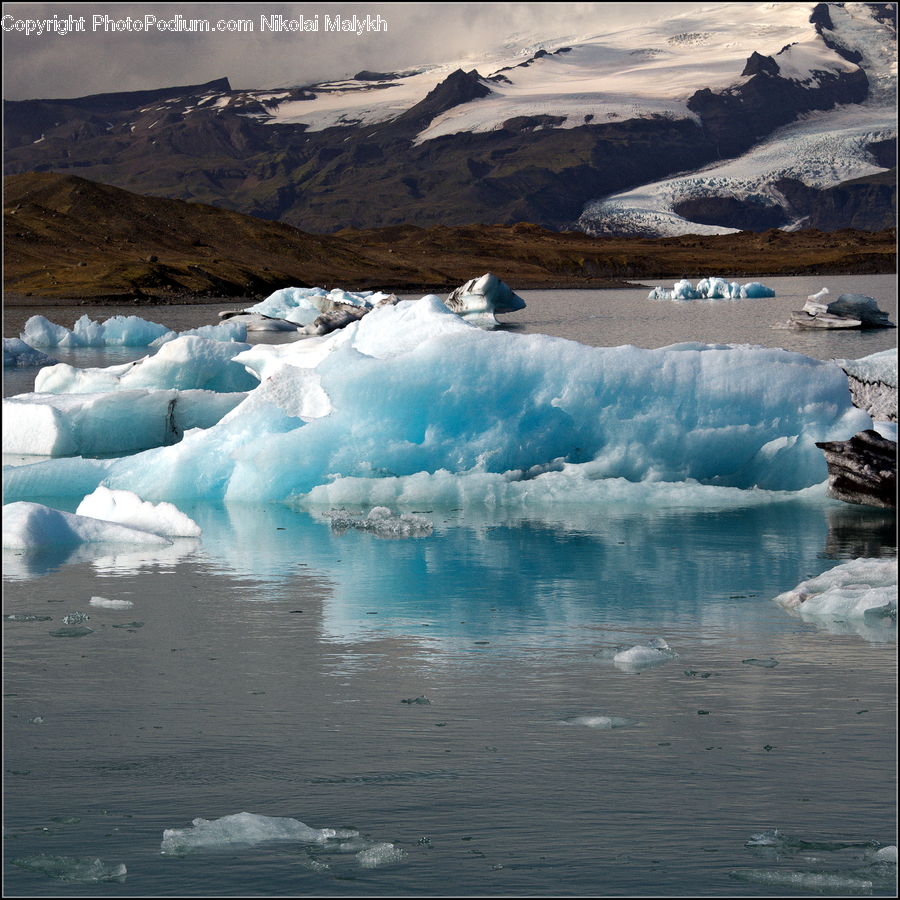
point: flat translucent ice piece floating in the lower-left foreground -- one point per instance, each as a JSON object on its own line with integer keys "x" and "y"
{"x": 245, "y": 829}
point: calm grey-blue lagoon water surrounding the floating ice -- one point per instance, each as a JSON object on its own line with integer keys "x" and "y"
{"x": 274, "y": 655}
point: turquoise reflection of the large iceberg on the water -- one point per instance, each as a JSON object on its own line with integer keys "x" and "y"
{"x": 493, "y": 576}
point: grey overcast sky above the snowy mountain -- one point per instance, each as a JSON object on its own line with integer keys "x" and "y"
{"x": 54, "y": 64}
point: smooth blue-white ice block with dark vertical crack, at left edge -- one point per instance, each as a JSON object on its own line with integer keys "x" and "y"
{"x": 117, "y": 422}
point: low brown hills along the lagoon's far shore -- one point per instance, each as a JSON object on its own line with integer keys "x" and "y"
{"x": 65, "y": 237}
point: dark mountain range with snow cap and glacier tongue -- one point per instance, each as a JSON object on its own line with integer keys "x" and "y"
{"x": 739, "y": 116}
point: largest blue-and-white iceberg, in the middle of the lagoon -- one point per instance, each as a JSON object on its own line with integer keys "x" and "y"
{"x": 413, "y": 388}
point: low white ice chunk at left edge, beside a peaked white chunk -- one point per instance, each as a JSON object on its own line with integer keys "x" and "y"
{"x": 31, "y": 525}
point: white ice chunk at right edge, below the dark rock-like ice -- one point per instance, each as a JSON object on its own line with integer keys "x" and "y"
{"x": 860, "y": 589}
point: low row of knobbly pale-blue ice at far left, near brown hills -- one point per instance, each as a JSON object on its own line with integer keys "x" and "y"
{"x": 119, "y": 331}
